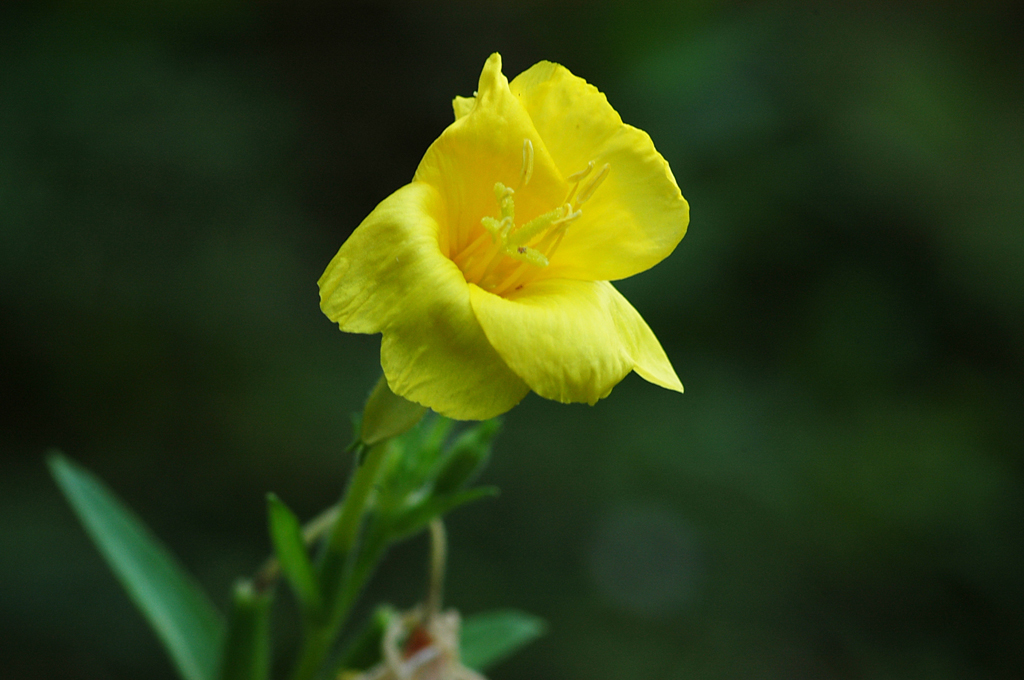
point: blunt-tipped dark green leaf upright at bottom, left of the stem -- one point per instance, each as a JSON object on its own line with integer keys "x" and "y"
{"x": 247, "y": 647}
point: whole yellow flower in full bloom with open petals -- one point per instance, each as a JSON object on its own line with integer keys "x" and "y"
{"x": 488, "y": 275}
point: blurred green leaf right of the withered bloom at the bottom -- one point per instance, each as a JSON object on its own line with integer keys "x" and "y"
{"x": 488, "y": 639}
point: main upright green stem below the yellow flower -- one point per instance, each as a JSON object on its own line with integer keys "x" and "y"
{"x": 335, "y": 567}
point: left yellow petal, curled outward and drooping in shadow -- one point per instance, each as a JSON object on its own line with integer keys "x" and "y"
{"x": 392, "y": 278}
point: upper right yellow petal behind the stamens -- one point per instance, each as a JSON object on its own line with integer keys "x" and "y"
{"x": 638, "y": 216}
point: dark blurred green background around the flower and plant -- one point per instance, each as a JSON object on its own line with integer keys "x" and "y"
{"x": 839, "y": 493}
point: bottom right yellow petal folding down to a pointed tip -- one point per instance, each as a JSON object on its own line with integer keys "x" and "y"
{"x": 572, "y": 341}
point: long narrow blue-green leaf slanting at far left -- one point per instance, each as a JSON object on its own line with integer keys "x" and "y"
{"x": 182, "y": 616}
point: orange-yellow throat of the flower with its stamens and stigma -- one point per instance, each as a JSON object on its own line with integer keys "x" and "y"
{"x": 505, "y": 256}
